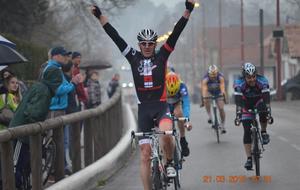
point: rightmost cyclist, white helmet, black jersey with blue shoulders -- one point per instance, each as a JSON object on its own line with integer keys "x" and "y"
{"x": 252, "y": 91}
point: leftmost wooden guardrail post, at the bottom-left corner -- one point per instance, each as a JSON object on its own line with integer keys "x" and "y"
{"x": 8, "y": 177}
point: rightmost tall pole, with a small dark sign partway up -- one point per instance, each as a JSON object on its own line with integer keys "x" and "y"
{"x": 278, "y": 53}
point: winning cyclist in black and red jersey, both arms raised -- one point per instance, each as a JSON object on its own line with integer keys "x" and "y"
{"x": 149, "y": 69}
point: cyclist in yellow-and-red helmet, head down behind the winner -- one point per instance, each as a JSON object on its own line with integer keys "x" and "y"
{"x": 179, "y": 104}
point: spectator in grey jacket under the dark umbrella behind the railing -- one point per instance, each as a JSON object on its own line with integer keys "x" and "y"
{"x": 94, "y": 90}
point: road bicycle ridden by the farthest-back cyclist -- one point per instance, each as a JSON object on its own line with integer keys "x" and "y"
{"x": 216, "y": 123}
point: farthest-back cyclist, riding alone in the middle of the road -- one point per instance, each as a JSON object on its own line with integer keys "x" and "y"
{"x": 213, "y": 83}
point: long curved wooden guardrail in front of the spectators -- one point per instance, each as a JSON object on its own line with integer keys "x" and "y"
{"x": 102, "y": 130}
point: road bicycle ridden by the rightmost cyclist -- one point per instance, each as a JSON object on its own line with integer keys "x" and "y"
{"x": 257, "y": 146}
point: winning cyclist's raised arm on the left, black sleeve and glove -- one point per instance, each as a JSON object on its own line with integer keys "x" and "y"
{"x": 109, "y": 29}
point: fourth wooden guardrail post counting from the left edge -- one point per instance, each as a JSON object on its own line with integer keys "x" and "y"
{"x": 75, "y": 150}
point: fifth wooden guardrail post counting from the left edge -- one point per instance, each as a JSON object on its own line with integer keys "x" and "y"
{"x": 88, "y": 142}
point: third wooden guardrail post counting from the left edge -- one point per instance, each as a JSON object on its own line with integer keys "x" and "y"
{"x": 59, "y": 165}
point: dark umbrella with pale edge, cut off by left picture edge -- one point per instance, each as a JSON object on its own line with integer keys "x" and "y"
{"x": 9, "y": 56}
